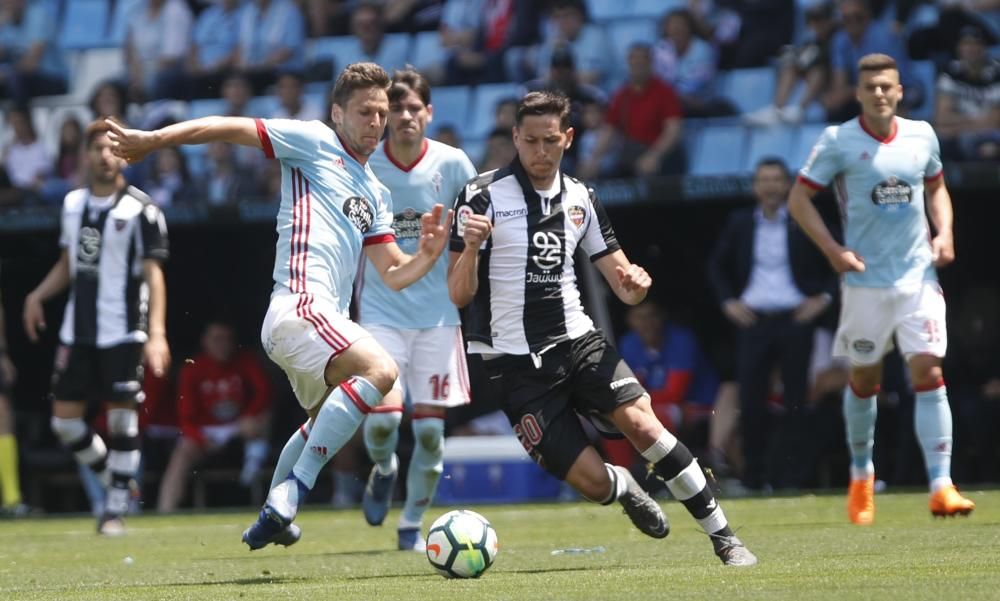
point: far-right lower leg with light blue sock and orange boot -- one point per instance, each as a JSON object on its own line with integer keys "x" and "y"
{"x": 933, "y": 425}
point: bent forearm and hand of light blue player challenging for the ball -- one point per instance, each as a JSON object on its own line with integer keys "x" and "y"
{"x": 398, "y": 269}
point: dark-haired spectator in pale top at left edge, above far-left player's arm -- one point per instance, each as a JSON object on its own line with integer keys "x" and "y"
{"x": 25, "y": 158}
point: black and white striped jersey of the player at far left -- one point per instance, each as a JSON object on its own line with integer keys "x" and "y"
{"x": 106, "y": 243}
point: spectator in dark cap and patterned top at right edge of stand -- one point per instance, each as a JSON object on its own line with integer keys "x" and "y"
{"x": 967, "y": 115}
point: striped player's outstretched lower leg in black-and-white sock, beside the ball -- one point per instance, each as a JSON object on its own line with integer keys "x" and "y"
{"x": 674, "y": 463}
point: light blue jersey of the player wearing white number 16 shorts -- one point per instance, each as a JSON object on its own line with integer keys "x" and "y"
{"x": 437, "y": 177}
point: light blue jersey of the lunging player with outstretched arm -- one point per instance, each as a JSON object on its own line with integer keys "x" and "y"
{"x": 331, "y": 206}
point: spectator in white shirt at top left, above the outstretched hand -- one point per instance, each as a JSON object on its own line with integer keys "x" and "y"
{"x": 156, "y": 43}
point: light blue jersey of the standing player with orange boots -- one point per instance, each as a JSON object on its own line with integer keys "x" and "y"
{"x": 879, "y": 184}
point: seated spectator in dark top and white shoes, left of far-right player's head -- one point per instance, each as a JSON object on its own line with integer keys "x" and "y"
{"x": 808, "y": 62}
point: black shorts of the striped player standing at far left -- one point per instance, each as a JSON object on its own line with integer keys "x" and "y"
{"x": 87, "y": 373}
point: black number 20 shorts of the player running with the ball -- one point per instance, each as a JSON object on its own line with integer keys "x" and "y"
{"x": 583, "y": 377}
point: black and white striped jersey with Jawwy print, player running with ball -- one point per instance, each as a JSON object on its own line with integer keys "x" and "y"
{"x": 527, "y": 298}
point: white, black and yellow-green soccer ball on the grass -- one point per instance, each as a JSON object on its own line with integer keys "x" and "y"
{"x": 461, "y": 544}
